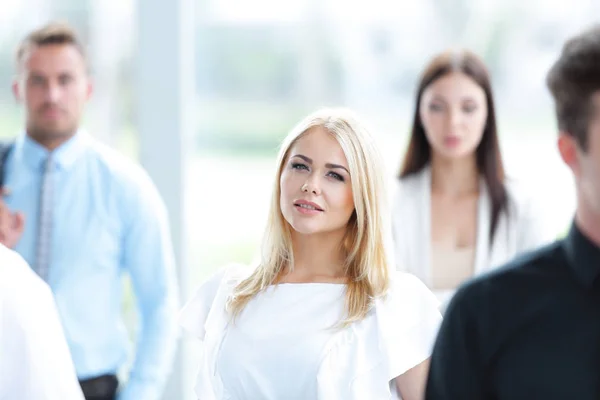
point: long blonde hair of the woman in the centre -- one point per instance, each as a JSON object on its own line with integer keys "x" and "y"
{"x": 367, "y": 261}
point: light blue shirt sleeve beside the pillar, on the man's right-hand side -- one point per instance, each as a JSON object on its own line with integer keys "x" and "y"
{"x": 149, "y": 259}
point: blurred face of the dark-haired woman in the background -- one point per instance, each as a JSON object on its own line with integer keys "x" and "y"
{"x": 453, "y": 111}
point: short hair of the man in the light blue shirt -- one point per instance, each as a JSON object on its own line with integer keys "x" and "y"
{"x": 52, "y": 33}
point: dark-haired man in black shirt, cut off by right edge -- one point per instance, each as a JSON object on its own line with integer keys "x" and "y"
{"x": 531, "y": 329}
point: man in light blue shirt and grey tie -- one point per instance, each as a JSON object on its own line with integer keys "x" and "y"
{"x": 82, "y": 216}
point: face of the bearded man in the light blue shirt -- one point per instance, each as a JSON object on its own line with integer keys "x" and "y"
{"x": 54, "y": 86}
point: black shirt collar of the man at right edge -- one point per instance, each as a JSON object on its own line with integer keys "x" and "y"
{"x": 583, "y": 256}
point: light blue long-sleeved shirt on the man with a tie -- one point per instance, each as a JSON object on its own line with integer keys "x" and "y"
{"x": 108, "y": 219}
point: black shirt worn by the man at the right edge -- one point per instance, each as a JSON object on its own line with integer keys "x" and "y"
{"x": 528, "y": 330}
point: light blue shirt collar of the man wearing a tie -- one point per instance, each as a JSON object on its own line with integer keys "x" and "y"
{"x": 64, "y": 156}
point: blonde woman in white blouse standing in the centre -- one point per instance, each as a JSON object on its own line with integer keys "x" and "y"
{"x": 322, "y": 315}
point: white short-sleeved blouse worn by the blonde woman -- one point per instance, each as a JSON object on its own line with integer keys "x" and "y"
{"x": 285, "y": 343}
